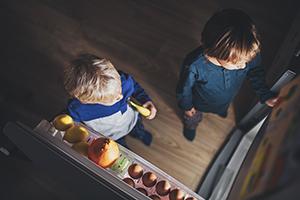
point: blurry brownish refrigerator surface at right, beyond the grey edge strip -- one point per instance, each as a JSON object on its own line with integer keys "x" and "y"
{"x": 271, "y": 169}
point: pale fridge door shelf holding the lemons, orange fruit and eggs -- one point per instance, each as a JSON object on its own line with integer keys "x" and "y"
{"x": 47, "y": 130}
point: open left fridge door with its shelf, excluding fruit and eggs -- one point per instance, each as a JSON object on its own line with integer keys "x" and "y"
{"x": 45, "y": 146}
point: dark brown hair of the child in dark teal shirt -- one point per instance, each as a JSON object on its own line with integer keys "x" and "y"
{"x": 230, "y": 35}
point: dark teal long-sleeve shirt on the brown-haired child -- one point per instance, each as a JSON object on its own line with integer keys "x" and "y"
{"x": 211, "y": 88}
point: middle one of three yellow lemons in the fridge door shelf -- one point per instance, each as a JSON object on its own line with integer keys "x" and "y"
{"x": 76, "y": 134}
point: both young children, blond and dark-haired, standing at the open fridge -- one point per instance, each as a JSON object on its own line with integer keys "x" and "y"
{"x": 209, "y": 80}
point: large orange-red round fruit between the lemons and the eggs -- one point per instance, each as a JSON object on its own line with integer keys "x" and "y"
{"x": 104, "y": 152}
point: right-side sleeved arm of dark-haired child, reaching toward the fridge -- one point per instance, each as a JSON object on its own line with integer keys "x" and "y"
{"x": 256, "y": 75}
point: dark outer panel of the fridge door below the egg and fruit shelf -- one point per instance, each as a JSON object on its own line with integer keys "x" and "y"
{"x": 79, "y": 175}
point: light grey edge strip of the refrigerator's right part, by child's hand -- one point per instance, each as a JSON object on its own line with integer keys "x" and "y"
{"x": 222, "y": 171}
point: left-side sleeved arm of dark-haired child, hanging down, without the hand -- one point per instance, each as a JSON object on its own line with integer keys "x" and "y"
{"x": 184, "y": 87}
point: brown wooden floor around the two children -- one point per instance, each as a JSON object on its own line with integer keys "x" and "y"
{"x": 147, "y": 39}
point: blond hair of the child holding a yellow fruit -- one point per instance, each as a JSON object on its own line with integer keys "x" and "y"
{"x": 91, "y": 79}
